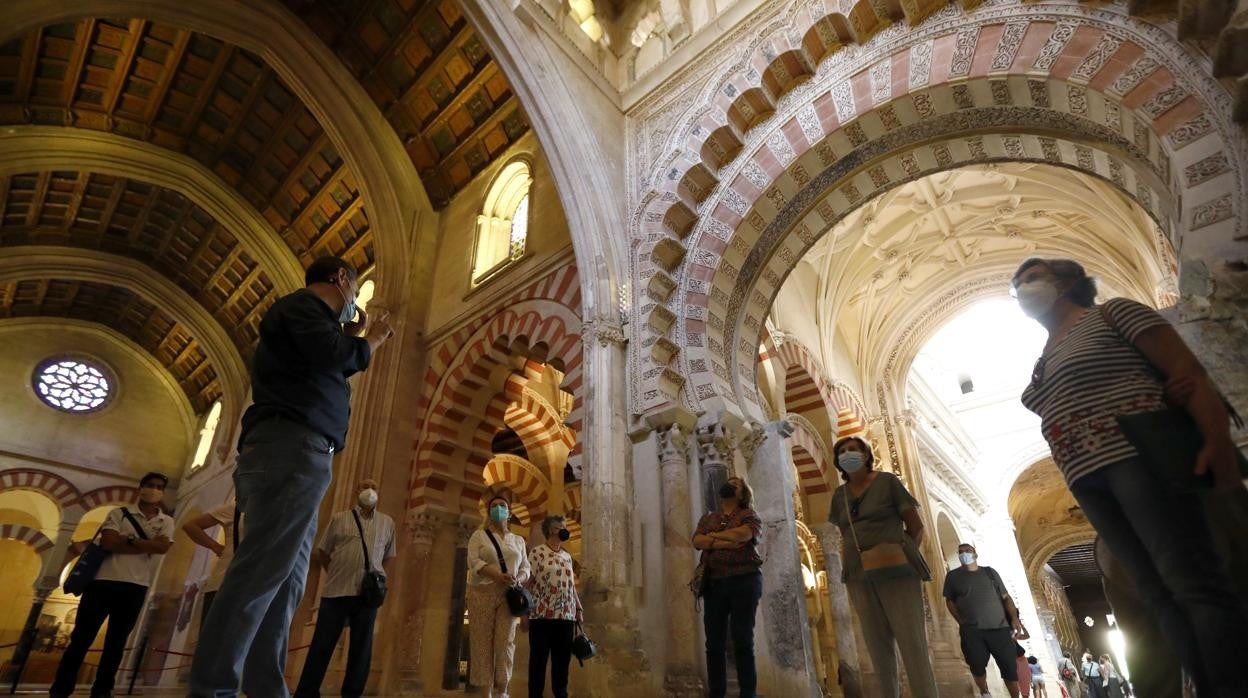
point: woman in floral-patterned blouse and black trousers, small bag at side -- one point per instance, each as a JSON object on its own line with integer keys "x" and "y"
{"x": 556, "y": 610}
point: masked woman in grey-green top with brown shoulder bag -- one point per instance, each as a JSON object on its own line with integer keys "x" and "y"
{"x": 875, "y": 513}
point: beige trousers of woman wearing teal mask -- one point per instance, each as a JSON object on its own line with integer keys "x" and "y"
{"x": 491, "y": 639}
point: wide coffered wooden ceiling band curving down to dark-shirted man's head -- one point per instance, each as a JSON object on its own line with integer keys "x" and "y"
{"x": 203, "y": 98}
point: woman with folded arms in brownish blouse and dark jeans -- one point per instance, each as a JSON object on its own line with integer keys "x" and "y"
{"x": 729, "y": 540}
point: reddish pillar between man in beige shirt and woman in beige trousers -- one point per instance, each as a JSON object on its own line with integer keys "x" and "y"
{"x": 401, "y": 640}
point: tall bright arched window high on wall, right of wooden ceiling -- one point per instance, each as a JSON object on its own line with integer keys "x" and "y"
{"x": 504, "y": 224}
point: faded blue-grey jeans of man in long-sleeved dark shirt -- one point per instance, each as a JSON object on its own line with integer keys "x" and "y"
{"x": 284, "y": 471}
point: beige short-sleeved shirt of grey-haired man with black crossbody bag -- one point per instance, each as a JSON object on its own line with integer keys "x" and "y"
{"x": 341, "y": 541}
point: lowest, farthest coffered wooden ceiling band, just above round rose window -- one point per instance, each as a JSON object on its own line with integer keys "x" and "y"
{"x": 129, "y": 314}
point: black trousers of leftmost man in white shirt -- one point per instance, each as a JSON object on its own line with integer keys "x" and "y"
{"x": 122, "y": 604}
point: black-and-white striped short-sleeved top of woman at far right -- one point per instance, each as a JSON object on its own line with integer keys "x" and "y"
{"x": 1090, "y": 379}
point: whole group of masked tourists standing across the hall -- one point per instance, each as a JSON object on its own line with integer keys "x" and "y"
{"x": 1131, "y": 418}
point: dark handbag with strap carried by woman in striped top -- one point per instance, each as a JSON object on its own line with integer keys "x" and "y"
{"x": 1169, "y": 441}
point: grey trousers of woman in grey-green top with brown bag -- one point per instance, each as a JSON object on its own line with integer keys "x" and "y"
{"x": 892, "y": 612}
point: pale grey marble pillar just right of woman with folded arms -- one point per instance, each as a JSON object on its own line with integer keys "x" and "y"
{"x": 784, "y": 655}
